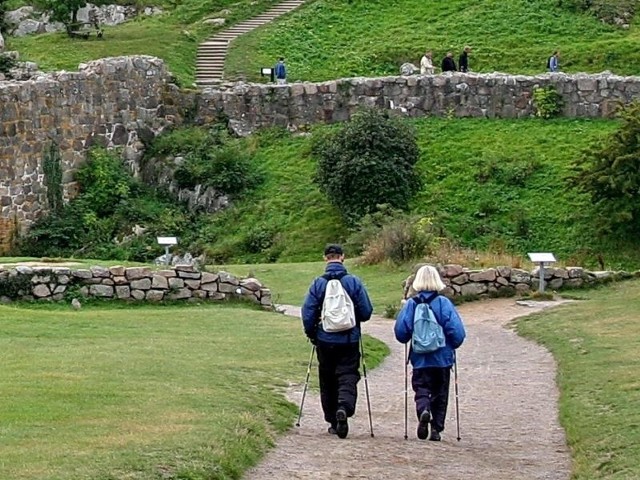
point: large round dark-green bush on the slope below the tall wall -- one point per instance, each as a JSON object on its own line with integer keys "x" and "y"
{"x": 369, "y": 161}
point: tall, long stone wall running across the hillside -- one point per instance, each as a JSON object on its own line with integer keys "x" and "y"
{"x": 123, "y": 102}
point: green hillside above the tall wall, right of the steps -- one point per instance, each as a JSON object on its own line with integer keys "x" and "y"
{"x": 334, "y": 38}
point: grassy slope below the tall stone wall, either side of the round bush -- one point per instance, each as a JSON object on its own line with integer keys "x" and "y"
{"x": 486, "y": 189}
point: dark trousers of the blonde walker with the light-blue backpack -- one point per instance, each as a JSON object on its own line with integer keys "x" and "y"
{"x": 431, "y": 386}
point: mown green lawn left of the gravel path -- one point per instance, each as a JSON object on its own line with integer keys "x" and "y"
{"x": 145, "y": 392}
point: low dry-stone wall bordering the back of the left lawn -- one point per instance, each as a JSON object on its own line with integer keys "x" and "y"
{"x": 182, "y": 282}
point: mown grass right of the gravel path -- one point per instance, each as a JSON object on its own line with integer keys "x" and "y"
{"x": 596, "y": 344}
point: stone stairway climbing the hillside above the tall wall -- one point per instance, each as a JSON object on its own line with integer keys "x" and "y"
{"x": 212, "y": 52}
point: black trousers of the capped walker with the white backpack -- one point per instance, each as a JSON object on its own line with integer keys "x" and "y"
{"x": 338, "y": 373}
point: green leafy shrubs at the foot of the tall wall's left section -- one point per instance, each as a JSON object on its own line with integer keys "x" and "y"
{"x": 113, "y": 217}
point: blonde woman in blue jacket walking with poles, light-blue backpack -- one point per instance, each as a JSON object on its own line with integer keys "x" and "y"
{"x": 431, "y": 371}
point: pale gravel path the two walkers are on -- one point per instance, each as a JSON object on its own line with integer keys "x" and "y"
{"x": 508, "y": 404}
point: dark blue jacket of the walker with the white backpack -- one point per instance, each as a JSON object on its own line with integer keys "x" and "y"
{"x": 312, "y": 308}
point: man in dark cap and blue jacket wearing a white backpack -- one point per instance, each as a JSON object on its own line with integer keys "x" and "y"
{"x": 338, "y": 352}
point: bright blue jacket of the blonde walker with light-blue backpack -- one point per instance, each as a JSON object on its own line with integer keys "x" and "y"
{"x": 451, "y": 324}
